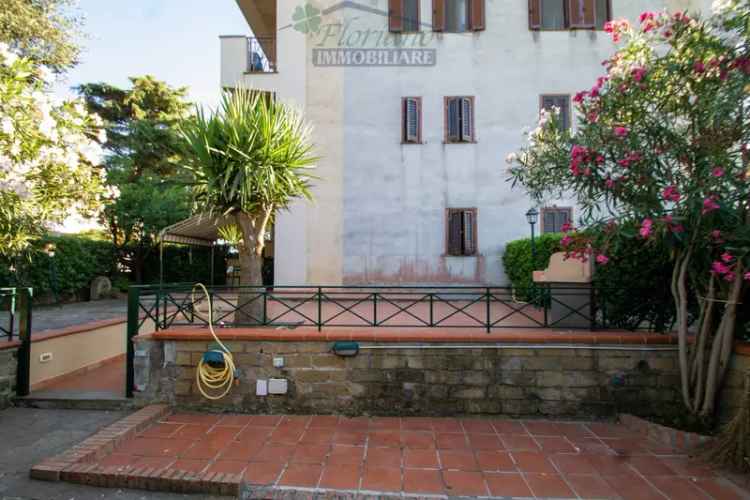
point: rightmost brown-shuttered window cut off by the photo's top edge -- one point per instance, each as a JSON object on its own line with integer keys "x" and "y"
{"x": 569, "y": 14}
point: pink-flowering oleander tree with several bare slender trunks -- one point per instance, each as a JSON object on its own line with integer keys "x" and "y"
{"x": 663, "y": 140}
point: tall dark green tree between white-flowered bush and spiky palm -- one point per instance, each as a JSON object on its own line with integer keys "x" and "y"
{"x": 142, "y": 162}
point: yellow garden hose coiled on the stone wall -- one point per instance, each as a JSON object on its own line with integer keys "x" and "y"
{"x": 210, "y": 378}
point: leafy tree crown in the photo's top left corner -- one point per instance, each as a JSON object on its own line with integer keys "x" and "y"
{"x": 42, "y": 30}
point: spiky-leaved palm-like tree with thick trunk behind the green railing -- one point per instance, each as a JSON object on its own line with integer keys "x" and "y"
{"x": 250, "y": 158}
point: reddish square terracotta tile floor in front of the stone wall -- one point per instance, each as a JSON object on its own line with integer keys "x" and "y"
{"x": 425, "y": 456}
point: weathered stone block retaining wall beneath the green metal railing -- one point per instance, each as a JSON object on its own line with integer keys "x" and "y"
{"x": 429, "y": 379}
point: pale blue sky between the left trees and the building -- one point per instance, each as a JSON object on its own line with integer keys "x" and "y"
{"x": 175, "y": 40}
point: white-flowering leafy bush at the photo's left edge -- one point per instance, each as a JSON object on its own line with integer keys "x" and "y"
{"x": 49, "y": 156}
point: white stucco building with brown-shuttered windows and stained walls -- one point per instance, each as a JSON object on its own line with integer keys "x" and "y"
{"x": 415, "y": 190}
